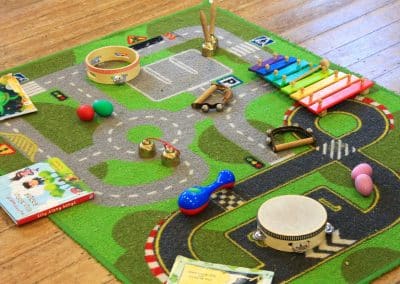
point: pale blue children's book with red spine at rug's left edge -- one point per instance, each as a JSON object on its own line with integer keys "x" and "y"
{"x": 41, "y": 189}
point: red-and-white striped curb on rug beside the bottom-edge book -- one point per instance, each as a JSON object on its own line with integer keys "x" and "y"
{"x": 150, "y": 256}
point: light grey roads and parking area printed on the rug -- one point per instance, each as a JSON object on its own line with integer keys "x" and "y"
{"x": 109, "y": 141}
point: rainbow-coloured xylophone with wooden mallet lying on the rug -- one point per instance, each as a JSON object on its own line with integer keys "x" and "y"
{"x": 316, "y": 87}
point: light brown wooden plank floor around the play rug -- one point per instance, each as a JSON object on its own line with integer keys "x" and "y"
{"x": 363, "y": 35}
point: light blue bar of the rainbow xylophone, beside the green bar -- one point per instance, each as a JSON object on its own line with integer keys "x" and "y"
{"x": 287, "y": 74}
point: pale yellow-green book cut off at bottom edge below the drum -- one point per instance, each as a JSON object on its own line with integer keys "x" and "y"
{"x": 190, "y": 271}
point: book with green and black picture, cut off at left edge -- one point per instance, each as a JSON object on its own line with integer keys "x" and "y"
{"x": 13, "y": 99}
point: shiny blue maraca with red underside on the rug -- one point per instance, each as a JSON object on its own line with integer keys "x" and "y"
{"x": 195, "y": 199}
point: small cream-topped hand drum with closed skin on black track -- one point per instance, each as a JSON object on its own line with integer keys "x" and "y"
{"x": 292, "y": 223}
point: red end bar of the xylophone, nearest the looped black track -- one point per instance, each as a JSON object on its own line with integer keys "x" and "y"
{"x": 349, "y": 92}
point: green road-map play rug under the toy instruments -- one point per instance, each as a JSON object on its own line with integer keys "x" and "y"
{"x": 134, "y": 227}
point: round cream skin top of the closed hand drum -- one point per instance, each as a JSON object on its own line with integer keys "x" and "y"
{"x": 291, "y": 215}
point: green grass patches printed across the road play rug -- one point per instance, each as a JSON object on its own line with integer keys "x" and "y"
{"x": 116, "y": 235}
